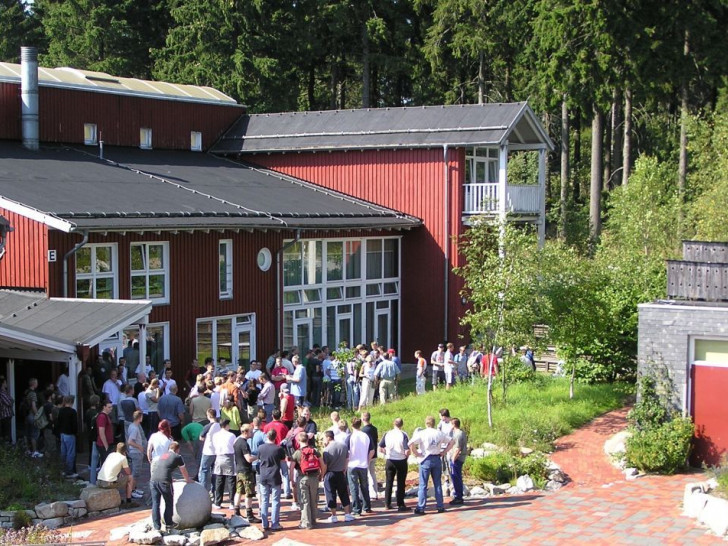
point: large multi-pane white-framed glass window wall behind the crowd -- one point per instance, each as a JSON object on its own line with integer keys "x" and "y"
{"x": 328, "y": 285}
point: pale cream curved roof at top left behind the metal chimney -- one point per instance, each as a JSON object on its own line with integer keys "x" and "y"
{"x": 100, "y": 82}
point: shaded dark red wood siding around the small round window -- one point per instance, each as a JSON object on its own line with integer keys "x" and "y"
{"x": 194, "y": 283}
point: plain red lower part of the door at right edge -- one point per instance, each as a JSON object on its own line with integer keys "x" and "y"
{"x": 709, "y": 409}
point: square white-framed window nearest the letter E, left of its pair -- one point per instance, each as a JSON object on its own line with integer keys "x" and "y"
{"x": 97, "y": 271}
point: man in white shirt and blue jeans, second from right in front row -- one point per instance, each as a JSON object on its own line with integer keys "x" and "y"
{"x": 426, "y": 445}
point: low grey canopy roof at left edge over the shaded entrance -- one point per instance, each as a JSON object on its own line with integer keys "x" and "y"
{"x": 35, "y": 322}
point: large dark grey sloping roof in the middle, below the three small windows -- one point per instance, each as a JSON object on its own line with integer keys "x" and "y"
{"x": 155, "y": 189}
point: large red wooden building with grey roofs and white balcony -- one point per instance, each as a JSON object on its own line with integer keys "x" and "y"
{"x": 293, "y": 229}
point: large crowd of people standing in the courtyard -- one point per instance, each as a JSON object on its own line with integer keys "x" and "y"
{"x": 251, "y": 431}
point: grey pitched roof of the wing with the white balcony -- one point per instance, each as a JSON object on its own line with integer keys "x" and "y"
{"x": 426, "y": 126}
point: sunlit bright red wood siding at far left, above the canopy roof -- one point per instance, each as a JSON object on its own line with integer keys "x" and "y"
{"x": 25, "y": 263}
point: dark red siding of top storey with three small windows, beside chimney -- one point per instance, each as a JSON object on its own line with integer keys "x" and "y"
{"x": 63, "y": 112}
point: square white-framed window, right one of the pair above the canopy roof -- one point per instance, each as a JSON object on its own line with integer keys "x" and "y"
{"x": 150, "y": 271}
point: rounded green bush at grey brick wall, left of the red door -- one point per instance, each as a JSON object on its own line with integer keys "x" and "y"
{"x": 661, "y": 448}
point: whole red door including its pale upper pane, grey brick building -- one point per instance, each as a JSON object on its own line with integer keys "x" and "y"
{"x": 708, "y": 405}
